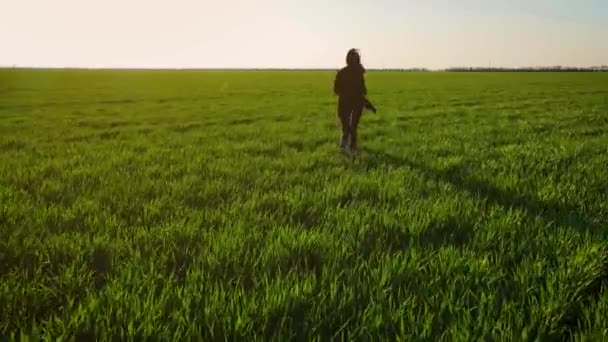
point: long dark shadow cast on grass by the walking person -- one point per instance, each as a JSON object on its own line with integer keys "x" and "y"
{"x": 551, "y": 211}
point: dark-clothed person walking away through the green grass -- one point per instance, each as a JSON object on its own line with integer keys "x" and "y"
{"x": 349, "y": 85}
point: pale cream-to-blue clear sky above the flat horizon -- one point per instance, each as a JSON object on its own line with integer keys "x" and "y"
{"x": 302, "y": 33}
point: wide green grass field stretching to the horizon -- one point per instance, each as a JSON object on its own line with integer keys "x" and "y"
{"x": 208, "y": 204}
